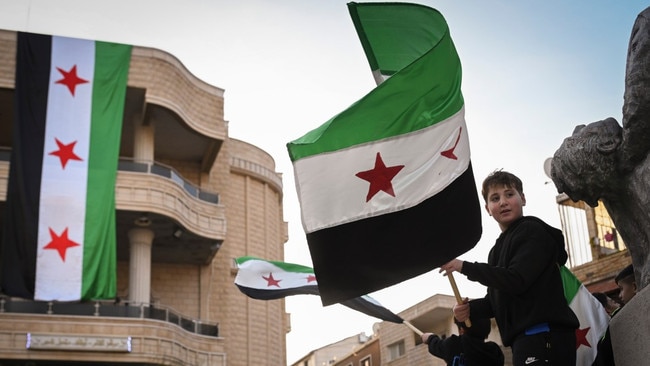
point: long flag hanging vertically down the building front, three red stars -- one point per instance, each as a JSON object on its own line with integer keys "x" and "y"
{"x": 59, "y": 230}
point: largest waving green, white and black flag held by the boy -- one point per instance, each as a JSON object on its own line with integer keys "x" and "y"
{"x": 386, "y": 187}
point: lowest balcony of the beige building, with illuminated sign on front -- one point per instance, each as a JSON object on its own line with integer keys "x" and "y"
{"x": 102, "y": 331}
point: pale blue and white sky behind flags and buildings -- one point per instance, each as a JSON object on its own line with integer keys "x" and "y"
{"x": 532, "y": 71}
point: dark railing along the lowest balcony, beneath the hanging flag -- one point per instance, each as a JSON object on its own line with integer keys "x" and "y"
{"x": 109, "y": 309}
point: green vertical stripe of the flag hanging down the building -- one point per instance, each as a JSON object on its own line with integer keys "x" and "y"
{"x": 109, "y": 93}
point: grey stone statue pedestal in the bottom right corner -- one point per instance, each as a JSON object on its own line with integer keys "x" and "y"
{"x": 630, "y": 330}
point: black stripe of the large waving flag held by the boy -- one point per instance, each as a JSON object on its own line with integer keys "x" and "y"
{"x": 364, "y": 256}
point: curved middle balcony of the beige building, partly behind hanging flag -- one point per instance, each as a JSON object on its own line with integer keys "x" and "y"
{"x": 189, "y": 224}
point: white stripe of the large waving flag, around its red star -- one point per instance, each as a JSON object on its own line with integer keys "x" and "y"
{"x": 331, "y": 194}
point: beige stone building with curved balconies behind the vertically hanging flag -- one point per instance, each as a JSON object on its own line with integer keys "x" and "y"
{"x": 189, "y": 200}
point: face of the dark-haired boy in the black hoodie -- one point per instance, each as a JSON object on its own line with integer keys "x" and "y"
{"x": 505, "y": 205}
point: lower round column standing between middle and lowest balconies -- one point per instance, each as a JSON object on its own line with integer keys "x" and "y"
{"x": 140, "y": 240}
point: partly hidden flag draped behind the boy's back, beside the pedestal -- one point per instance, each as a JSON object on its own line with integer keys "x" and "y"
{"x": 591, "y": 313}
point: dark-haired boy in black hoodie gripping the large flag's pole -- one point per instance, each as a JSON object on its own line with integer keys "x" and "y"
{"x": 525, "y": 293}
